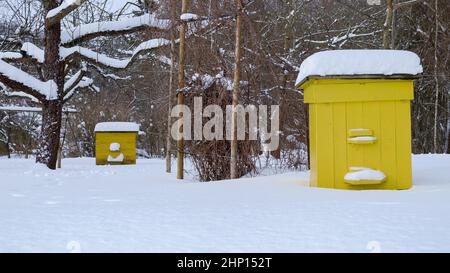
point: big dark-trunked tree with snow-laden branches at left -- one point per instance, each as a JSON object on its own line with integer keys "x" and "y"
{"x": 61, "y": 57}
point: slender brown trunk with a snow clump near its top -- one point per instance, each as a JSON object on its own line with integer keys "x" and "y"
{"x": 181, "y": 85}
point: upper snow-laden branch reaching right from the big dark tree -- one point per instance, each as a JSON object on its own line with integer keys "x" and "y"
{"x": 92, "y": 30}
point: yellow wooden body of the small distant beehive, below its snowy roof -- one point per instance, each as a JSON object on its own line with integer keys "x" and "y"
{"x": 127, "y": 143}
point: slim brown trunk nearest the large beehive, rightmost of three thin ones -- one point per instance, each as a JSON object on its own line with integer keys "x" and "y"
{"x": 236, "y": 90}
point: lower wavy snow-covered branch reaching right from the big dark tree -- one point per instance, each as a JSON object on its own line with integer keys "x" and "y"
{"x": 108, "y": 61}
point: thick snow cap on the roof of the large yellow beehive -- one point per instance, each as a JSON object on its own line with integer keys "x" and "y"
{"x": 360, "y": 62}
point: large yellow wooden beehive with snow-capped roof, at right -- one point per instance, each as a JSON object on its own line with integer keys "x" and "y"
{"x": 360, "y": 124}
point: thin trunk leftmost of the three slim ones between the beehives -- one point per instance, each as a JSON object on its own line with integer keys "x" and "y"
{"x": 173, "y": 6}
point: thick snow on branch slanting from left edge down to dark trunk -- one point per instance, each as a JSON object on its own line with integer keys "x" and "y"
{"x": 48, "y": 89}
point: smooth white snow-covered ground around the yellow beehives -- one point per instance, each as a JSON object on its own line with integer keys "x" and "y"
{"x": 141, "y": 209}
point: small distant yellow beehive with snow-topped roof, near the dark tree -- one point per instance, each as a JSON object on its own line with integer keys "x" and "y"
{"x": 116, "y": 143}
